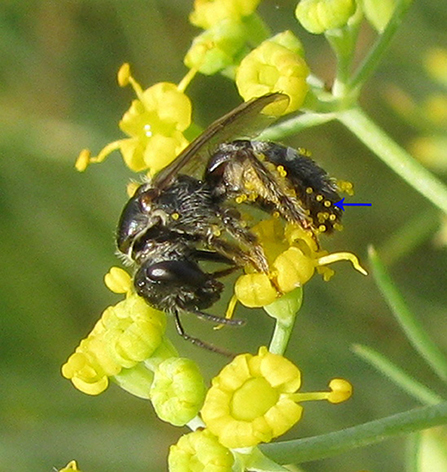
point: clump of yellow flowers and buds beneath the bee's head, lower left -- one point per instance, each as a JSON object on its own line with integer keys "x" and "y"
{"x": 128, "y": 345}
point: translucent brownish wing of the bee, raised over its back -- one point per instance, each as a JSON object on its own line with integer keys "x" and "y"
{"x": 245, "y": 121}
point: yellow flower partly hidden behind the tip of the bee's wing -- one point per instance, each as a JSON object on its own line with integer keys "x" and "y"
{"x": 274, "y": 66}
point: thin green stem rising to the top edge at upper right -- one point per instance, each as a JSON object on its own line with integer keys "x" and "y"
{"x": 371, "y": 61}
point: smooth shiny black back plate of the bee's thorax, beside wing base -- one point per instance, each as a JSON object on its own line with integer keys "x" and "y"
{"x": 136, "y": 218}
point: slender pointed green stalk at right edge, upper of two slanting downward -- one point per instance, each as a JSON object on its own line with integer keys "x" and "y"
{"x": 412, "y": 327}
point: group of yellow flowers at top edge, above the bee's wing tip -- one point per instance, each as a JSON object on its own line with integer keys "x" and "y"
{"x": 231, "y": 29}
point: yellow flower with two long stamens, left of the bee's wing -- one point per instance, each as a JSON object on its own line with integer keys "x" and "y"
{"x": 154, "y": 123}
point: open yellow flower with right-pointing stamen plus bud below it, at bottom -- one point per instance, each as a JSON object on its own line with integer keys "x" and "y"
{"x": 254, "y": 399}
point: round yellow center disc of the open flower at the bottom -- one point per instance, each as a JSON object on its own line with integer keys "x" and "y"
{"x": 243, "y": 408}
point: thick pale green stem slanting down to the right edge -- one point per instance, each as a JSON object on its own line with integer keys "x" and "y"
{"x": 356, "y": 120}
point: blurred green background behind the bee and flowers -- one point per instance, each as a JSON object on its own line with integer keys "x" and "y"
{"x": 58, "y": 95}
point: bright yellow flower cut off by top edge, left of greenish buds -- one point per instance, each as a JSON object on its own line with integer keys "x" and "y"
{"x": 209, "y": 12}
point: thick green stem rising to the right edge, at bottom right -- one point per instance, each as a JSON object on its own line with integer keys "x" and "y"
{"x": 331, "y": 444}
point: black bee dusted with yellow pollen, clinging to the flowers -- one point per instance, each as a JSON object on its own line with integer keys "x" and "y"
{"x": 189, "y": 213}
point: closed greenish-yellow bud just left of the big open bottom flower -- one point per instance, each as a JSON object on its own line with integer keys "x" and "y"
{"x": 177, "y": 391}
